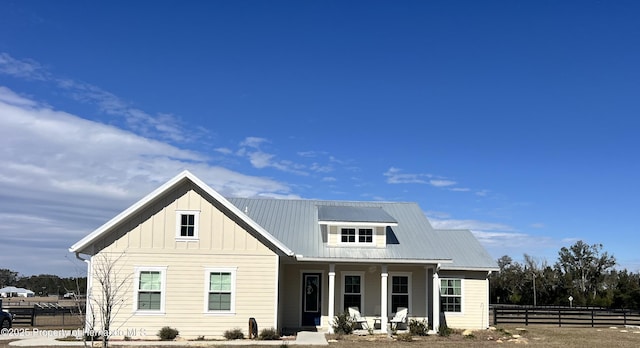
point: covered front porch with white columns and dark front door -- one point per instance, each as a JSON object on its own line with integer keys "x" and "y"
{"x": 313, "y": 293}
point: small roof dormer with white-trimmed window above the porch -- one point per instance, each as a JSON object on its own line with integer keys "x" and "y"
{"x": 351, "y": 226}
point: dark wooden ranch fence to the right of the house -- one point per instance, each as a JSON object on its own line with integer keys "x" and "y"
{"x": 565, "y": 316}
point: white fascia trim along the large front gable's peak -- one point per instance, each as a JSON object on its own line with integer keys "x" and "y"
{"x": 178, "y": 179}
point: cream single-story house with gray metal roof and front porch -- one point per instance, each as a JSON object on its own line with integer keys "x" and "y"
{"x": 189, "y": 258}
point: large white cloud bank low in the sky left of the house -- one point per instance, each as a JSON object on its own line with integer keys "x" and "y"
{"x": 63, "y": 176}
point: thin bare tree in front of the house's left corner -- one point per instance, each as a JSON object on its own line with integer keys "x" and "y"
{"x": 110, "y": 286}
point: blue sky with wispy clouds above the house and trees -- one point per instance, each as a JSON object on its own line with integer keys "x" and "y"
{"x": 515, "y": 119}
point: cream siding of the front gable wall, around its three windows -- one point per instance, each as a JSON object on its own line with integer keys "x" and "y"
{"x": 149, "y": 240}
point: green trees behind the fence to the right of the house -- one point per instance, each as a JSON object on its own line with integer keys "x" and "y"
{"x": 583, "y": 275}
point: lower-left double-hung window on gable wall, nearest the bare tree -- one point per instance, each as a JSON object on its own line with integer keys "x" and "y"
{"x": 150, "y": 289}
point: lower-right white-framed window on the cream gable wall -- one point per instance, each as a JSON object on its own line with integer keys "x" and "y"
{"x": 220, "y": 283}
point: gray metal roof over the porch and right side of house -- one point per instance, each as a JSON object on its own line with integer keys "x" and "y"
{"x": 295, "y": 224}
